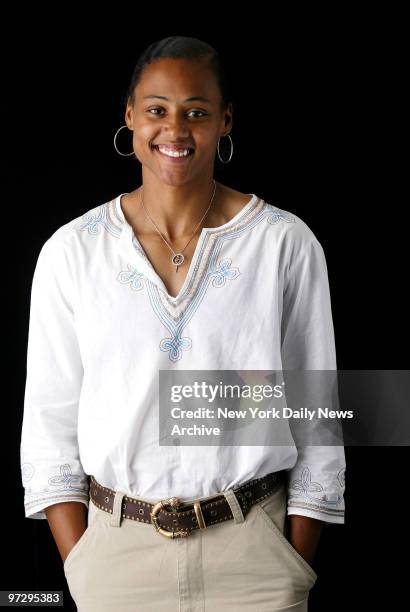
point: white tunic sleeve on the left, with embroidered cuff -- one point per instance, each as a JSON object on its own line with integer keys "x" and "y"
{"x": 51, "y": 469}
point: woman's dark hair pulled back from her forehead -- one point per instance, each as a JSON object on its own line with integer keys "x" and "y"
{"x": 181, "y": 47}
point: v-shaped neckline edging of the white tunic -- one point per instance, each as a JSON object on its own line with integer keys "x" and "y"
{"x": 134, "y": 246}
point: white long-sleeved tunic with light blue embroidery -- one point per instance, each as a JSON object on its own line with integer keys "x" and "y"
{"x": 102, "y": 325}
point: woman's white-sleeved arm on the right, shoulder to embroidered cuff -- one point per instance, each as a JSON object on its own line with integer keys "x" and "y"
{"x": 316, "y": 481}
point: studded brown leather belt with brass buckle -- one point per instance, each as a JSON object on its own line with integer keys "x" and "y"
{"x": 174, "y": 518}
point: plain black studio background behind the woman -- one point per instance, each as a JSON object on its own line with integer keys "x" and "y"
{"x": 318, "y": 130}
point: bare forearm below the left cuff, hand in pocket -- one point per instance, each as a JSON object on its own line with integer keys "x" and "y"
{"x": 67, "y": 522}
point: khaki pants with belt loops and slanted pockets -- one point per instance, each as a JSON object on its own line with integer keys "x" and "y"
{"x": 123, "y": 565}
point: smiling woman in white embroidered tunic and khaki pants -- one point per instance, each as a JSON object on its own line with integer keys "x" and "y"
{"x": 183, "y": 273}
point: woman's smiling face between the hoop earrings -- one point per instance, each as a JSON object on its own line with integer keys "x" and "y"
{"x": 163, "y": 114}
